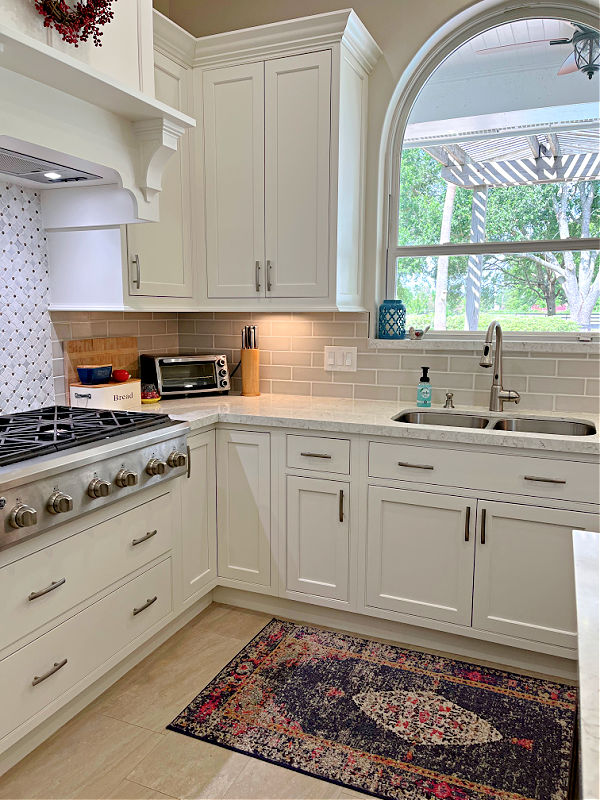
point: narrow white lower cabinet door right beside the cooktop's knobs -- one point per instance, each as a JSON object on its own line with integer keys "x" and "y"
{"x": 199, "y": 517}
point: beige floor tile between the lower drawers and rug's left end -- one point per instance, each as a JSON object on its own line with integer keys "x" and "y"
{"x": 157, "y": 689}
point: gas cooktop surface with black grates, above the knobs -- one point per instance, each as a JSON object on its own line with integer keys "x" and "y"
{"x": 47, "y": 430}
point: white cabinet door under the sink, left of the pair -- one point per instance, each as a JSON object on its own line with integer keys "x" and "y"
{"x": 419, "y": 556}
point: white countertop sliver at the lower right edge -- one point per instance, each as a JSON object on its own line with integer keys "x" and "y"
{"x": 586, "y": 553}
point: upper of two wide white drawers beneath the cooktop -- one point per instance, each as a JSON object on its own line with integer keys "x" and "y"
{"x": 42, "y": 586}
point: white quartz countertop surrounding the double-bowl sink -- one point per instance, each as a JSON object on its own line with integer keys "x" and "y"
{"x": 371, "y": 417}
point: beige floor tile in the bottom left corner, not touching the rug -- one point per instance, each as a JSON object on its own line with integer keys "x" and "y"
{"x": 87, "y": 758}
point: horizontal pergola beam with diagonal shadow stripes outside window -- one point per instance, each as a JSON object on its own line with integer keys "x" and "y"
{"x": 524, "y": 171}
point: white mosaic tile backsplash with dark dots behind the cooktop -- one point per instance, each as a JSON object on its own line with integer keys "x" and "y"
{"x": 25, "y": 349}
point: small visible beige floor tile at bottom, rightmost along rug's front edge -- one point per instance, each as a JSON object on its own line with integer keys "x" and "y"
{"x": 266, "y": 781}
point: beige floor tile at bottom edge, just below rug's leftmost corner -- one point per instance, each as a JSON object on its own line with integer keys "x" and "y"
{"x": 188, "y": 768}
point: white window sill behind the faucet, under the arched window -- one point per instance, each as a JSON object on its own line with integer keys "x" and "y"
{"x": 511, "y": 343}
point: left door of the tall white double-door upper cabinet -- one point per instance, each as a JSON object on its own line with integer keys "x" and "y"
{"x": 233, "y": 99}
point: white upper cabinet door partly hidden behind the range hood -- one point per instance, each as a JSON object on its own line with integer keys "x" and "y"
{"x": 159, "y": 253}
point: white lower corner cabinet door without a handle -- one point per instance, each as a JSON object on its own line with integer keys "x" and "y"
{"x": 244, "y": 506}
